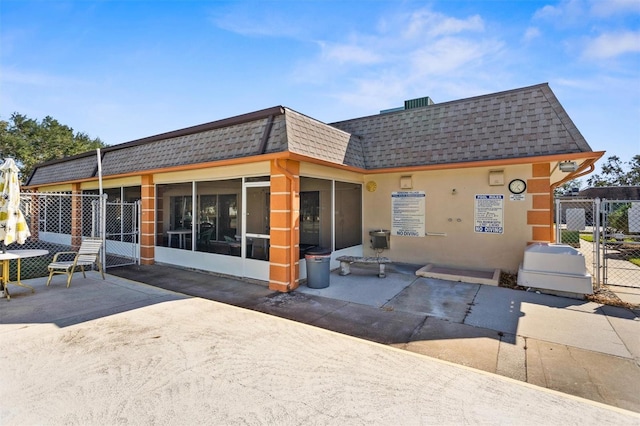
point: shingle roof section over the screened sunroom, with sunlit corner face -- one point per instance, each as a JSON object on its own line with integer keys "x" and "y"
{"x": 285, "y": 130}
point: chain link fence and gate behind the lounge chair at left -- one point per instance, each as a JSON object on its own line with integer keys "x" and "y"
{"x": 58, "y": 222}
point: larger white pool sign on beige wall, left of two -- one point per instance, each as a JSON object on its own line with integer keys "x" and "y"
{"x": 407, "y": 213}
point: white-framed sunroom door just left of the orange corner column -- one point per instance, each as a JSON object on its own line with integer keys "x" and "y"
{"x": 255, "y": 237}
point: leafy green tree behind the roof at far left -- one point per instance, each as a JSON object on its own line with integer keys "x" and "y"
{"x": 30, "y": 142}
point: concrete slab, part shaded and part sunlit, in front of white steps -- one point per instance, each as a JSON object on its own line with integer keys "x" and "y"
{"x": 534, "y": 315}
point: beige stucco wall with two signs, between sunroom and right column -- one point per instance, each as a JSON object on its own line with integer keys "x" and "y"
{"x": 452, "y": 213}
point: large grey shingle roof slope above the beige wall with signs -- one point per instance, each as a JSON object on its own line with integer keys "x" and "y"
{"x": 517, "y": 123}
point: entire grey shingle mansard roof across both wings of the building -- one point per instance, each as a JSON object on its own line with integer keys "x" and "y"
{"x": 518, "y": 123}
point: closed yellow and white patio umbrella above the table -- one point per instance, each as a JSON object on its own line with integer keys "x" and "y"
{"x": 13, "y": 226}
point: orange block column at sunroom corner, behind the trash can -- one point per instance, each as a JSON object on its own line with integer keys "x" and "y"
{"x": 284, "y": 221}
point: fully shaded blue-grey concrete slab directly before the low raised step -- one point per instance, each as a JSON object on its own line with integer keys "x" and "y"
{"x": 442, "y": 299}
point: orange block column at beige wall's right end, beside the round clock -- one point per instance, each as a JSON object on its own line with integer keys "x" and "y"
{"x": 539, "y": 216}
